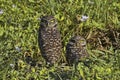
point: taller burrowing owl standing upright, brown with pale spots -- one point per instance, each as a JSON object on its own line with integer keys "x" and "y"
{"x": 49, "y": 40}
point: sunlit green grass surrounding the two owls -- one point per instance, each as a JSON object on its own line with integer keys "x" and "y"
{"x": 19, "y": 23}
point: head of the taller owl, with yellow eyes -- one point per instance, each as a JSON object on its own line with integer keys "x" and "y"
{"x": 48, "y": 21}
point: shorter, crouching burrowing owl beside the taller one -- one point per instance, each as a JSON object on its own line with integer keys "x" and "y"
{"x": 76, "y": 49}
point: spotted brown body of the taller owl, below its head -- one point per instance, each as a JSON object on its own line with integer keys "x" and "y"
{"x": 50, "y": 44}
